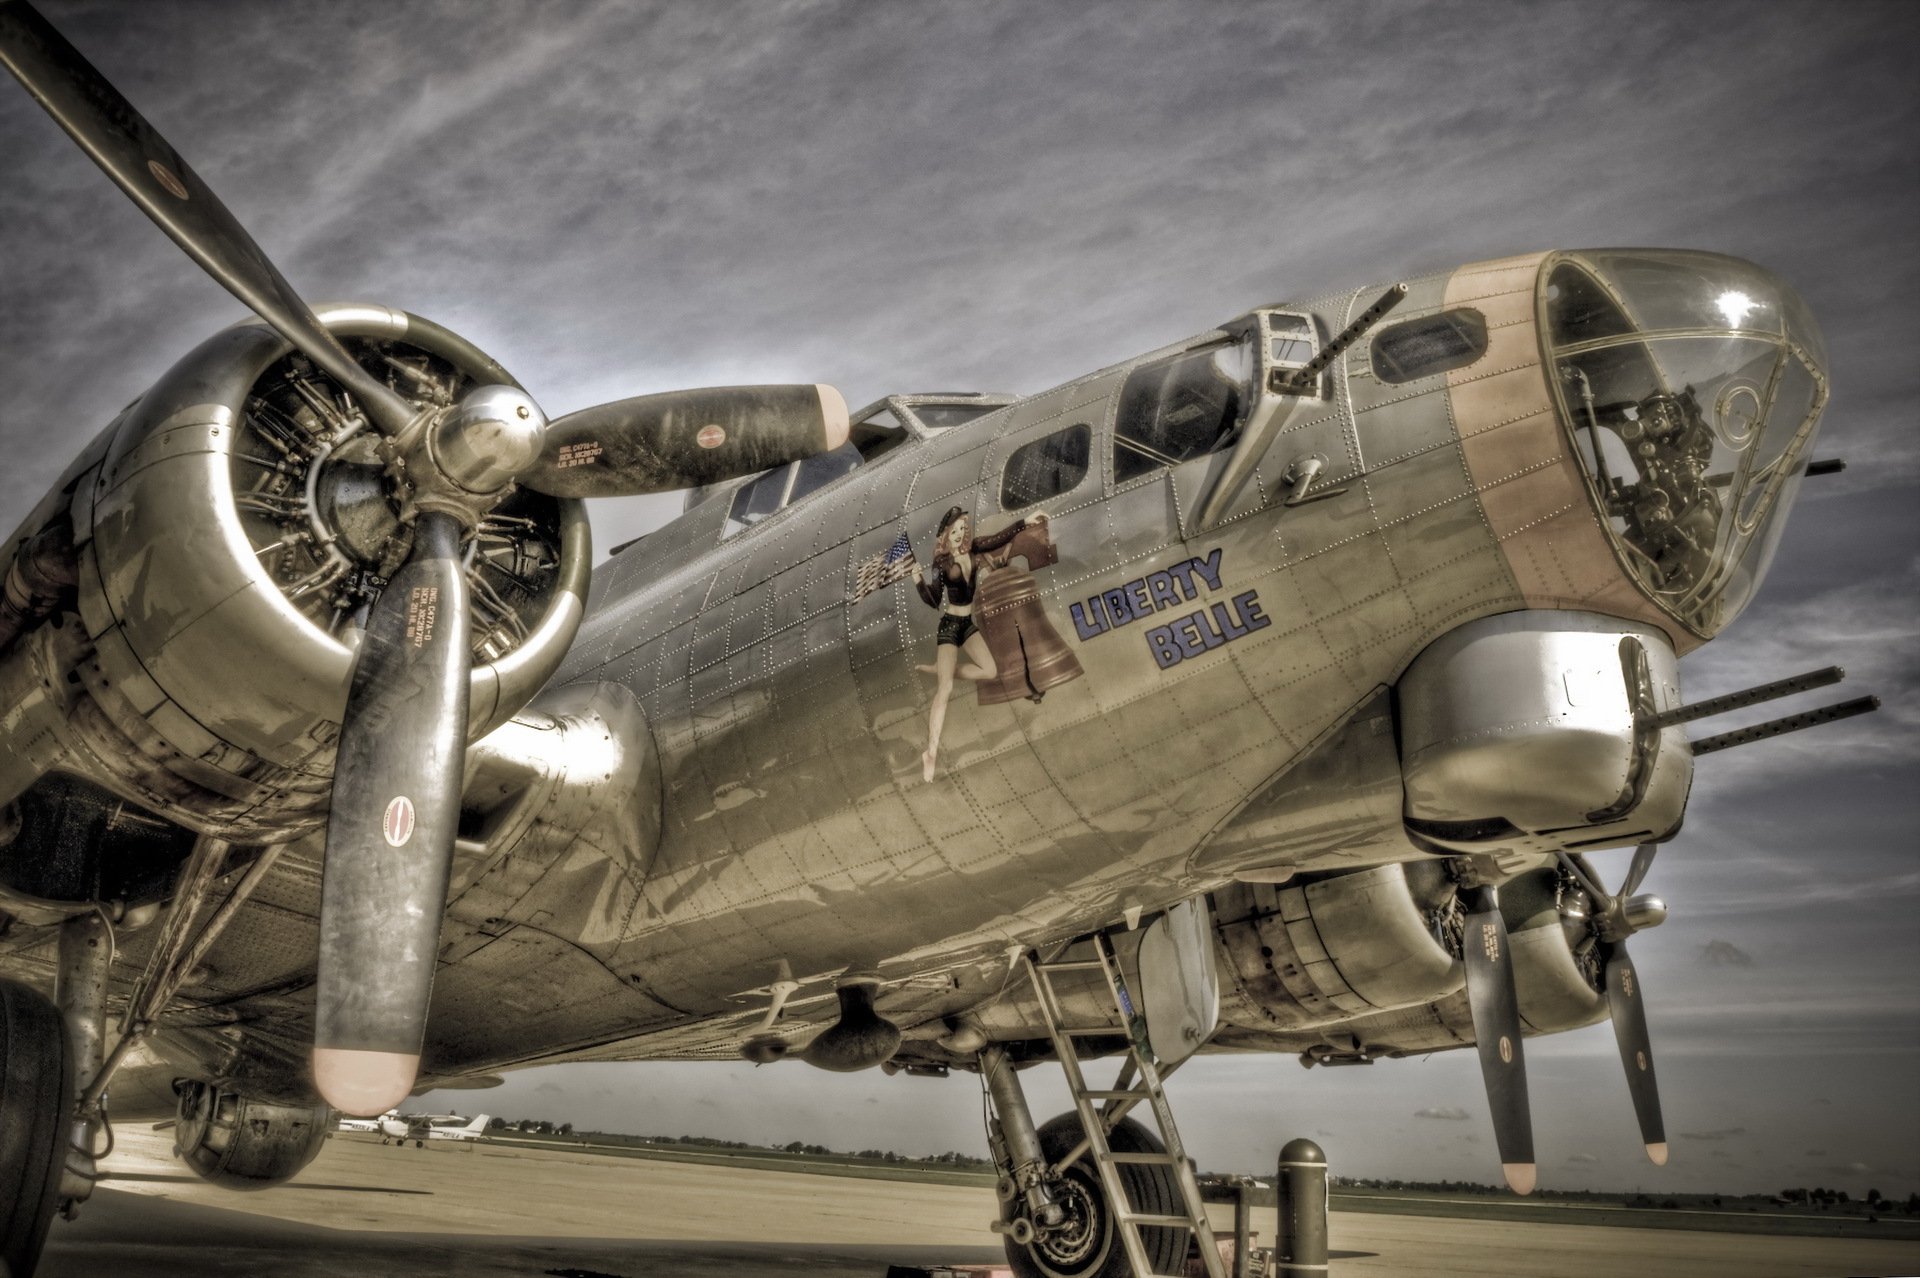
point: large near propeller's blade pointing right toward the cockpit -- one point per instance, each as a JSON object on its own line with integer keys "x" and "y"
{"x": 690, "y": 438}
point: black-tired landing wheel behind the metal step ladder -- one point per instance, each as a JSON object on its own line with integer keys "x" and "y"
{"x": 1090, "y": 1246}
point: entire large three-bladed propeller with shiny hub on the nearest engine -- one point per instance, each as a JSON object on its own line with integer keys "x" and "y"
{"x": 402, "y": 742}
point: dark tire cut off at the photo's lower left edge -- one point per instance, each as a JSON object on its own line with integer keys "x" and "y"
{"x": 36, "y": 1099}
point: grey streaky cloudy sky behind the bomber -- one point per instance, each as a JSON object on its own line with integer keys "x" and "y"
{"x": 621, "y": 199}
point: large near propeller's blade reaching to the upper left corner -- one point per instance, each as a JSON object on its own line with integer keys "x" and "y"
{"x": 143, "y": 164}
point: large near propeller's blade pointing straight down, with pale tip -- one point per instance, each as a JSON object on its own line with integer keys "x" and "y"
{"x": 391, "y": 828}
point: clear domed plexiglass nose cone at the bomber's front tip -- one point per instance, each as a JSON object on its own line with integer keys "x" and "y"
{"x": 1692, "y": 385}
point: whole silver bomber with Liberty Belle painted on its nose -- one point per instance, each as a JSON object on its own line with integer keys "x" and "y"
{"x": 1266, "y": 692}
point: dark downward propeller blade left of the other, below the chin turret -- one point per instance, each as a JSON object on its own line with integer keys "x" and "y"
{"x": 1497, "y": 1029}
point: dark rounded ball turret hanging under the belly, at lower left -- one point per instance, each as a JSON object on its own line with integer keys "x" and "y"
{"x": 247, "y": 1145}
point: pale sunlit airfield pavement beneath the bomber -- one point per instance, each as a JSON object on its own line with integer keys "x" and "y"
{"x": 368, "y": 1210}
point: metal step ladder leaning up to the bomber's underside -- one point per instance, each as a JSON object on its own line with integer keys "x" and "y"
{"x": 1140, "y": 1083}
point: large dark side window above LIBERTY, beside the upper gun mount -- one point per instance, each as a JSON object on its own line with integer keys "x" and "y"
{"x": 1182, "y": 408}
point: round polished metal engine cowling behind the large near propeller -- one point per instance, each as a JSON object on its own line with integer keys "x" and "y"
{"x": 228, "y": 531}
